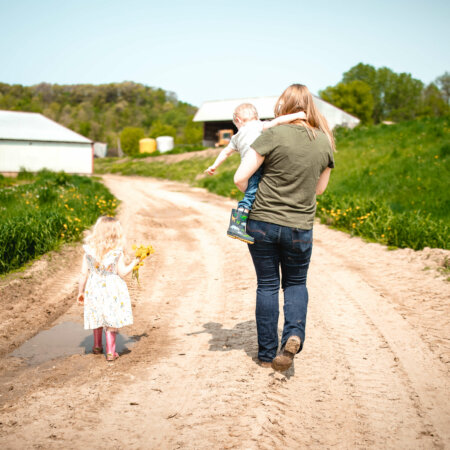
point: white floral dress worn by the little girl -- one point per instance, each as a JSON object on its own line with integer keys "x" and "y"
{"x": 107, "y": 301}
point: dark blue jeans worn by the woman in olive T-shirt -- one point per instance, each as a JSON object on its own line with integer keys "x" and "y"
{"x": 289, "y": 248}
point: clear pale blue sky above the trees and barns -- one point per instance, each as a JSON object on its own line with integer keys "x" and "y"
{"x": 208, "y": 50}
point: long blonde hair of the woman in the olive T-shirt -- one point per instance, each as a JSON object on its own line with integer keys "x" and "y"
{"x": 298, "y": 98}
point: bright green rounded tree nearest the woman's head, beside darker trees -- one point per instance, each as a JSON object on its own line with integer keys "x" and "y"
{"x": 354, "y": 97}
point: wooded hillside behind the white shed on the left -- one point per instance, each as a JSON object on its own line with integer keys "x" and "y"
{"x": 104, "y": 112}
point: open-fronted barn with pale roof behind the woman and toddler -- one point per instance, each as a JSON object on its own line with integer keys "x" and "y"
{"x": 218, "y": 115}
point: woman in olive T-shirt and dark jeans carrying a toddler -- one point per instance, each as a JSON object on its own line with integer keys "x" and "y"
{"x": 298, "y": 158}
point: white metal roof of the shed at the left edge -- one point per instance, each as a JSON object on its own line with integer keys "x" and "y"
{"x": 25, "y": 126}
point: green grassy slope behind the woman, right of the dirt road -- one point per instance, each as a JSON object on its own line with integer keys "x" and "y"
{"x": 390, "y": 183}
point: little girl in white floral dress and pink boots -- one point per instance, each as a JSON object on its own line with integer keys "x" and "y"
{"x": 101, "y": 288}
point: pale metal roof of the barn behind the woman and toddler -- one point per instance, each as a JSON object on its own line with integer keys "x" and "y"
{"x": 219, "y": 110}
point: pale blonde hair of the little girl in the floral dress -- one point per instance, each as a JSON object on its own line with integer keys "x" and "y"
{"x": 106, "y": 236}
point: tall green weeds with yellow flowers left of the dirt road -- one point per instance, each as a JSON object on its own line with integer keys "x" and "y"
{"x": 48, "y": 209}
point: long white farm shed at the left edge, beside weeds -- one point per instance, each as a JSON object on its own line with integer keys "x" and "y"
{"x": 34, "y": 142}
